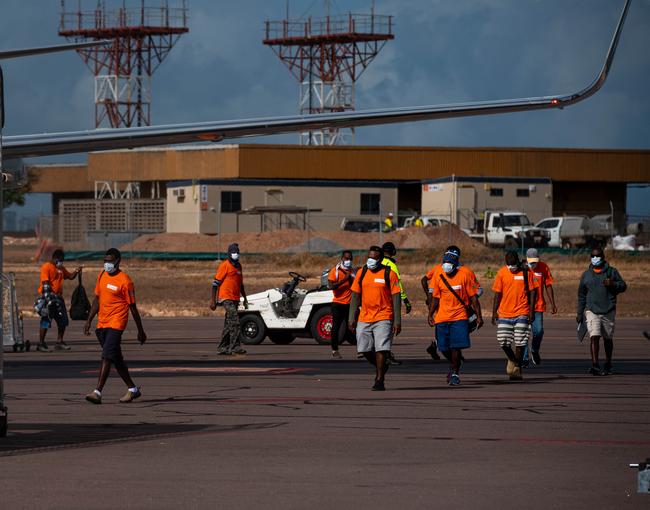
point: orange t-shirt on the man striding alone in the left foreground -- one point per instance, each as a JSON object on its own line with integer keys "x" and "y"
{"x": 115, "y": 293}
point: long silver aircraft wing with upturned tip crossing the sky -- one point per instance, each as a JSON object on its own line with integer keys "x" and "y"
{"x": 107, "y": 139}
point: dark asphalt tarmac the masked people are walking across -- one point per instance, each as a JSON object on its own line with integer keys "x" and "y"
{"x": 288, "y": 427}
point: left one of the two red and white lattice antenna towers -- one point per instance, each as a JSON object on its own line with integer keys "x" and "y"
{"x": 142, "y": 37}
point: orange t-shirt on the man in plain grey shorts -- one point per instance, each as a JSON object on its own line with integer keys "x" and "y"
{"x": 376, "y": 299}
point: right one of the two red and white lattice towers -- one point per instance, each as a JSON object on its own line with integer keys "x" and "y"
{"x": 327, "y": 56}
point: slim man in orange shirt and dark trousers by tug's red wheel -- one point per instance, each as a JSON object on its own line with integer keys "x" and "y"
{"x": 340, "y": 280}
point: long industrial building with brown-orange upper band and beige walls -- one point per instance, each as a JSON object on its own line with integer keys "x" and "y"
{"x": 209, "y": 189}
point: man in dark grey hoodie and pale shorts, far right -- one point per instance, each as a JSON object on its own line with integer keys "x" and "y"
{"x": 599, "y": 286}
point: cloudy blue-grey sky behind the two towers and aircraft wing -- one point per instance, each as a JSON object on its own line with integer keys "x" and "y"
{"x": 444, "y": 51}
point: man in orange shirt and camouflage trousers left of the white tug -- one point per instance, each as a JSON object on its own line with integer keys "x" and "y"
{"x": 228, "y": 287}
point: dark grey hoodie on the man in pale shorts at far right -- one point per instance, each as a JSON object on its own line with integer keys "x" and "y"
{"x": 594, "y": 296}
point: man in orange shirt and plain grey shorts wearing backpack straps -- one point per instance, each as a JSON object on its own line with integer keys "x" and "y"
{"x": 376, "y": 294}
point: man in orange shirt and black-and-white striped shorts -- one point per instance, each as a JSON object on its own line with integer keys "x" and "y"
{"x": 515, "y": 290}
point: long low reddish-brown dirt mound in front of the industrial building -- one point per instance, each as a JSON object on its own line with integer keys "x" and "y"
{"x": 295, "y": 241}
